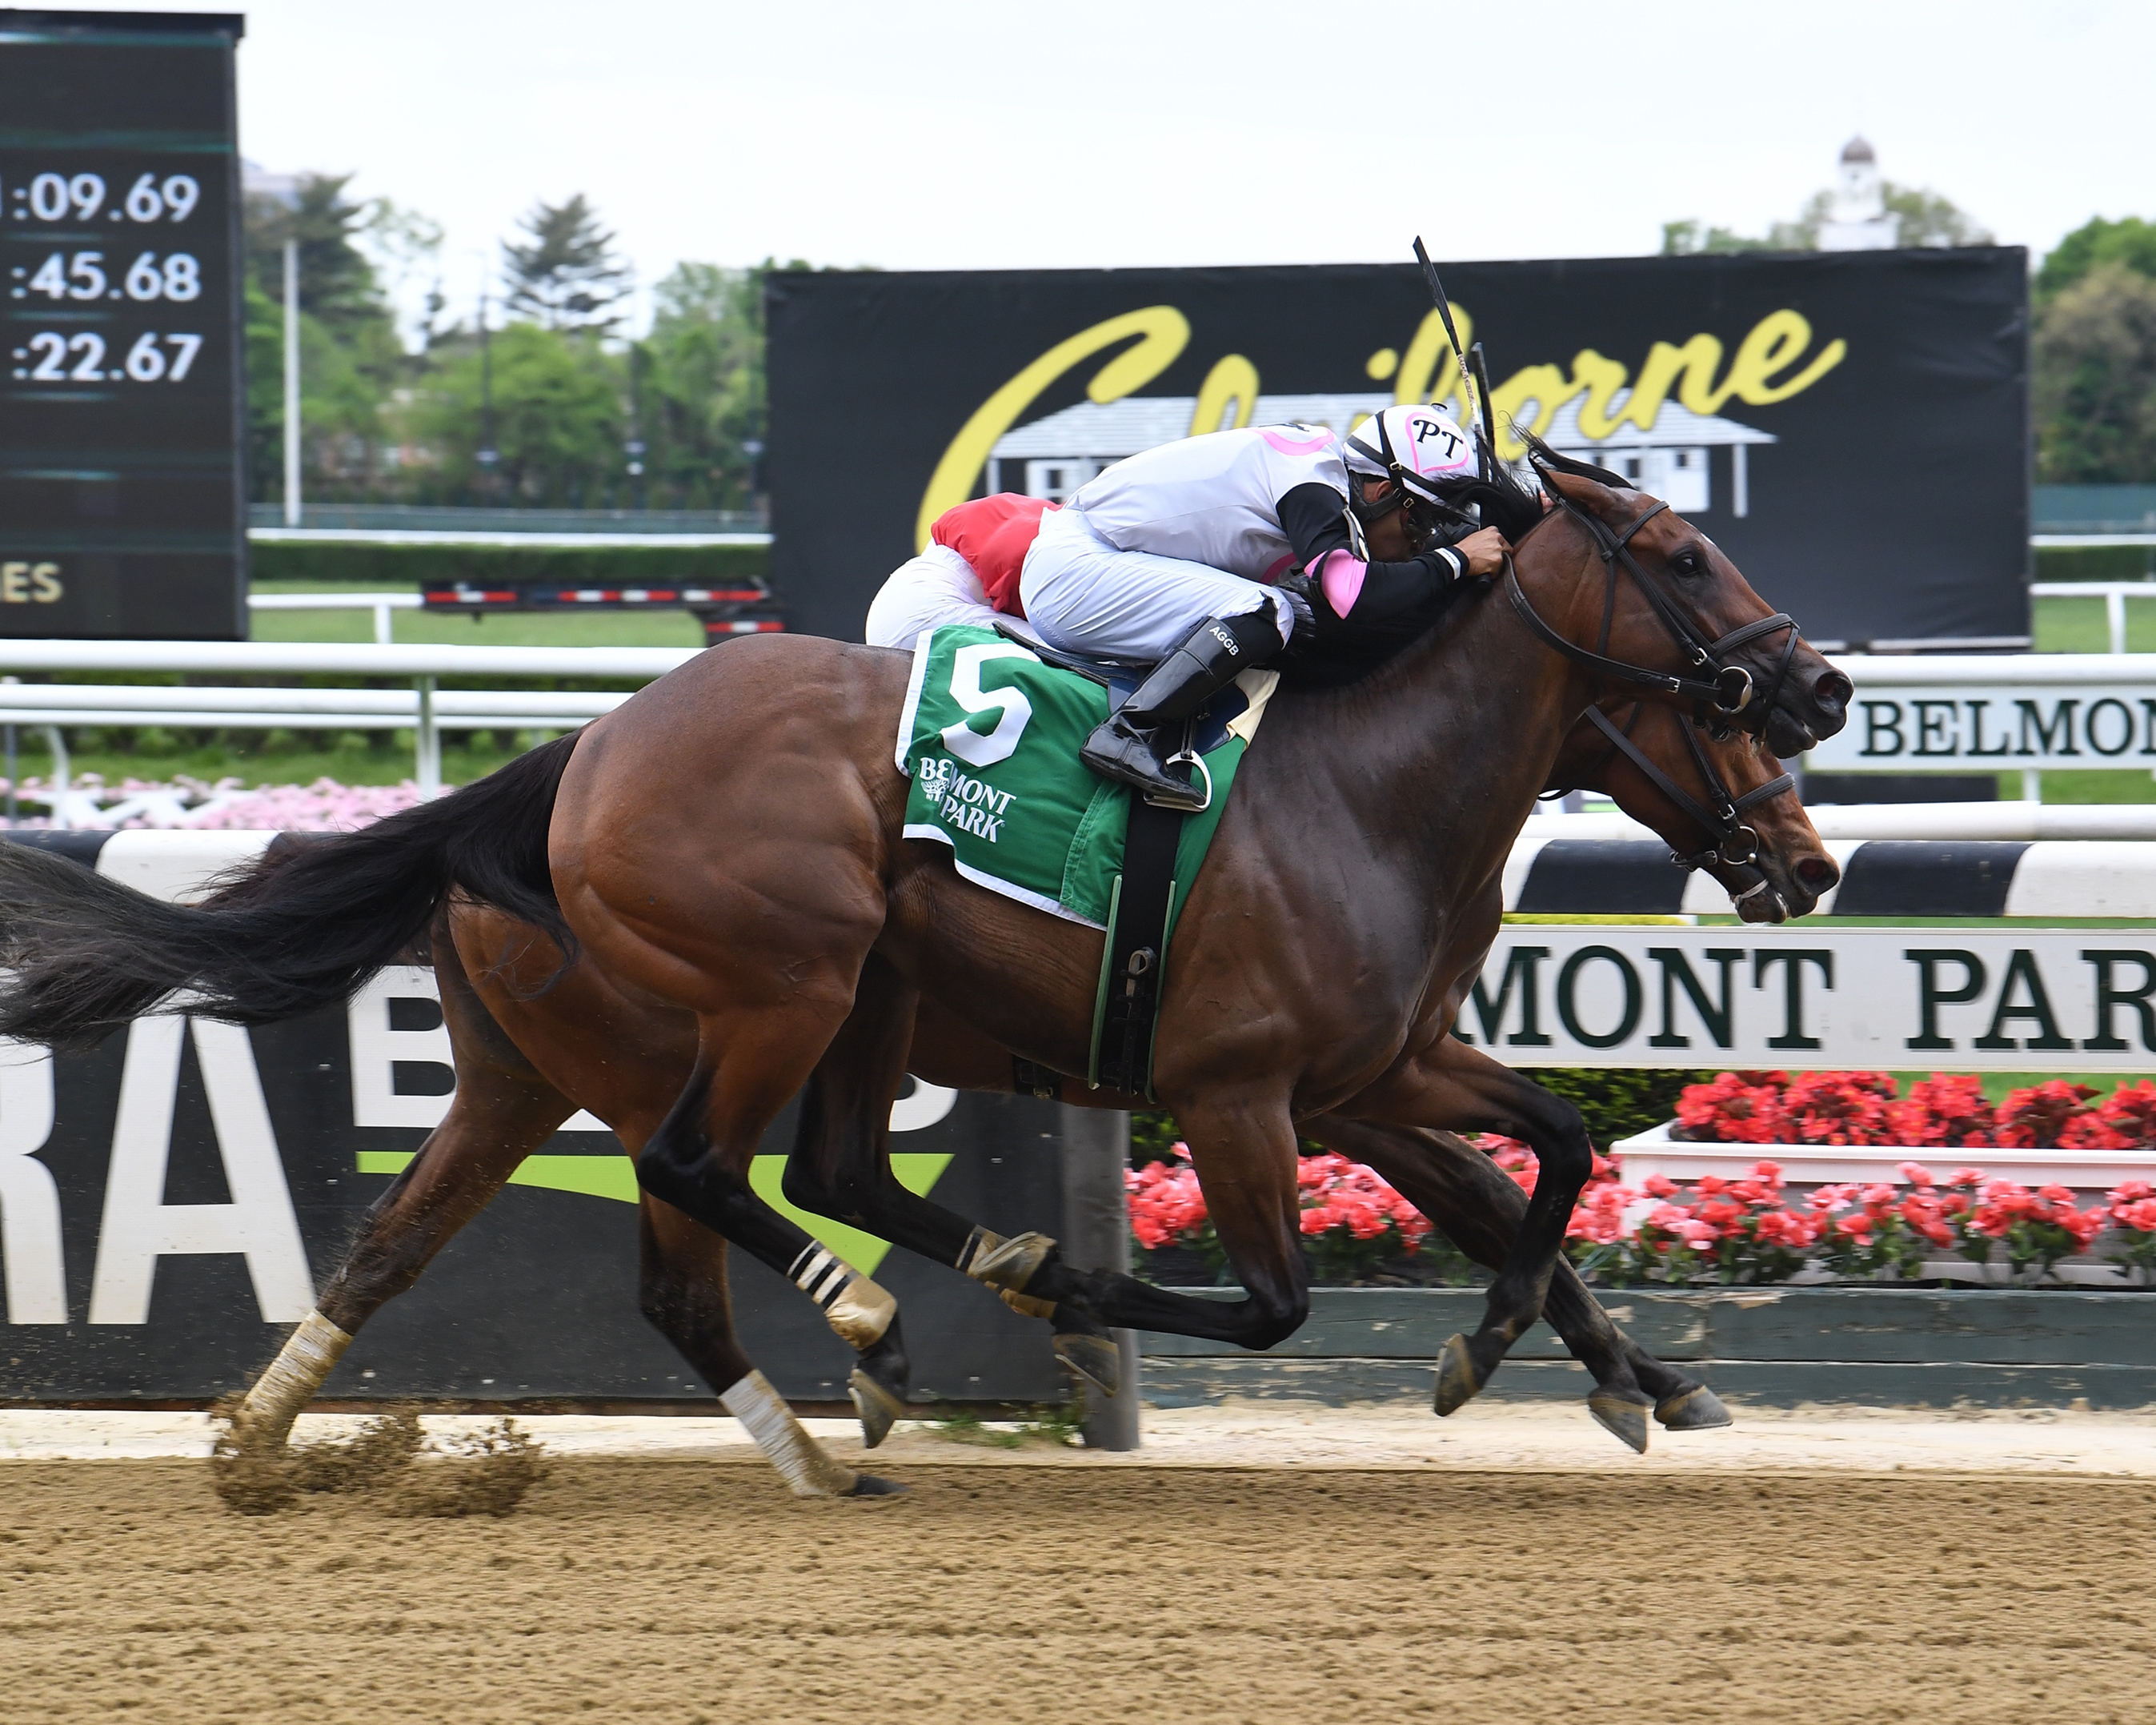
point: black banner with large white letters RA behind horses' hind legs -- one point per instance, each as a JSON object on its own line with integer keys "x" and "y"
{"x": 171, "y": 1202}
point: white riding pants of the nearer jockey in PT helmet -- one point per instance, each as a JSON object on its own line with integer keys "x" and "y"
{"x": 1092, "y": 598}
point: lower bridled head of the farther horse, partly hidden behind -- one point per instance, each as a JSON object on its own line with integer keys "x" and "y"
{"x": 1719, "y": 805}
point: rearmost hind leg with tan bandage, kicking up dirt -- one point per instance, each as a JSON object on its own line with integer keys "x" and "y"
{"x": 501, "y": 1114}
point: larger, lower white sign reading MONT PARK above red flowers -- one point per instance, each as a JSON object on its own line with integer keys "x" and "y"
{"x": 1735, "y": 997}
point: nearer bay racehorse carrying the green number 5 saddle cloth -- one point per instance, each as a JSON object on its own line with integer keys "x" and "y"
{"x": 773, "y": 900}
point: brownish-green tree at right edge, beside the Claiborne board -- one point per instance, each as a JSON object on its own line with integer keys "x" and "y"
{"x": 2095, "y": 387}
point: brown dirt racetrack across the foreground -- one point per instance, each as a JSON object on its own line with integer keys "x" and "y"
{"x": 685, "y": 1590}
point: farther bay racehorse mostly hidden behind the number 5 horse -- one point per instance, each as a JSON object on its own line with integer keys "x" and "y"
{"x": 529, "y": 1055}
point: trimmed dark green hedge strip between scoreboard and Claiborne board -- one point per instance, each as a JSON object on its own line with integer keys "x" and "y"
{"x": 365, "y": 568}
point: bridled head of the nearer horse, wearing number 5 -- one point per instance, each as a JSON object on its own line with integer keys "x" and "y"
{"x": 1653, "y": 607}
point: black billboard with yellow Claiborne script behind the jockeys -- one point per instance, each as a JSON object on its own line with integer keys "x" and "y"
{"x": 1853, "y": 428}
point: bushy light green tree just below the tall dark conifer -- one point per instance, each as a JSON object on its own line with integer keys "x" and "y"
{"x": 557, "y": 417}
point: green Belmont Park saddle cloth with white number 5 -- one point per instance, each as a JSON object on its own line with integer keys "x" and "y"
{"x": 991, "y": 739}
